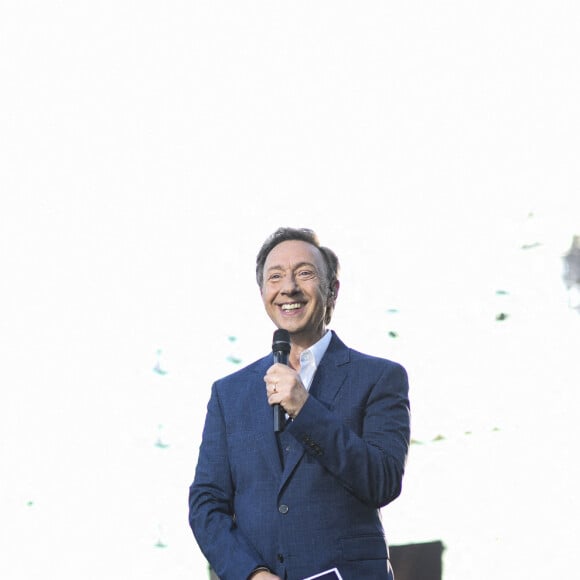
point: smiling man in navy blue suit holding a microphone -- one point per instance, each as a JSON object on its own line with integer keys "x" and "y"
{"x": 289, "y": 505}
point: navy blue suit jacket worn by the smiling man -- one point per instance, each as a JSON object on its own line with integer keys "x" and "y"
{"x": 344, "y": 457}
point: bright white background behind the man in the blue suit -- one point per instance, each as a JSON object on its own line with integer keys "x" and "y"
{"x": 148, "y": 148}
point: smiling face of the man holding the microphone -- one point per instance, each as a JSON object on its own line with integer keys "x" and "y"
{"x": 295, "y": 289}
